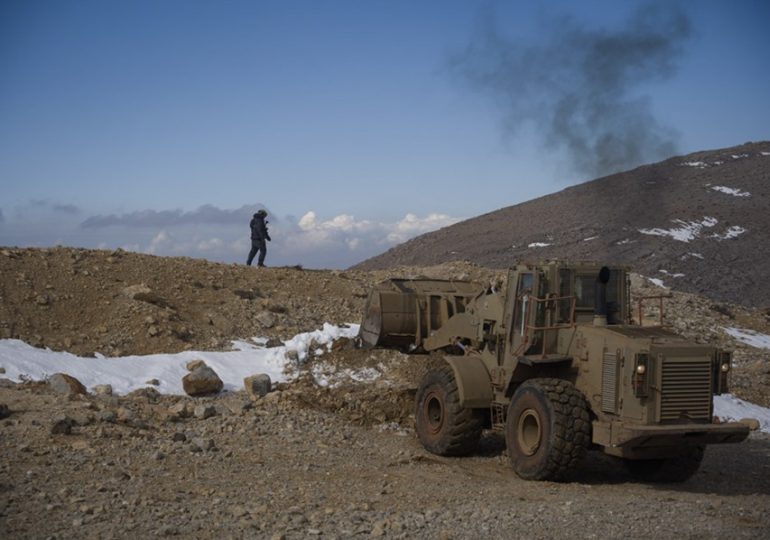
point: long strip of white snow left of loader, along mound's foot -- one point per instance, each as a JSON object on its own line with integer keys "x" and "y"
{"x": 127, "y": 373}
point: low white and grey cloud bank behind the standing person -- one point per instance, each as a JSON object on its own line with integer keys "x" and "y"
{"x": 214, "y": 233}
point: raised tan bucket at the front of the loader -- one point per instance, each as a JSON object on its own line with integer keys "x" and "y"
{"x": 400, "y": 313}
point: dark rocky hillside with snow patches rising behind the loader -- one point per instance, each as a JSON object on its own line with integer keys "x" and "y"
{"x": 699, "y": 223}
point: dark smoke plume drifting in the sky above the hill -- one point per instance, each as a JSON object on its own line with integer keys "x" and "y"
{"x": 582, "y": 87}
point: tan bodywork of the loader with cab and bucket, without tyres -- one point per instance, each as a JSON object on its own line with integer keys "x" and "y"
{"x": 546, "y": 324}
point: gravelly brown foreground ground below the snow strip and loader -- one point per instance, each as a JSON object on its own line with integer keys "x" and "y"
{"x": 133, "y": 467}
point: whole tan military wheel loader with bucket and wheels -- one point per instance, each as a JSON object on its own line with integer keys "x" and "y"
{"x": 556, "y": 362}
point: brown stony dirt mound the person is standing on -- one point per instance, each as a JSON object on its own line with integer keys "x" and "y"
{"x": 118, "y": 303}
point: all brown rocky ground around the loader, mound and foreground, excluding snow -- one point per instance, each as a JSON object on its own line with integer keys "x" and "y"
{"x": 305, "y": 460}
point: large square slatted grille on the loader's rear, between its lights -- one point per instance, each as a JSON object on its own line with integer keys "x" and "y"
{"x": 686, "y": 389}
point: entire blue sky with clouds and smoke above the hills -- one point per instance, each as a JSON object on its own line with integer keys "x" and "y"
{"x": 356, "y": 124}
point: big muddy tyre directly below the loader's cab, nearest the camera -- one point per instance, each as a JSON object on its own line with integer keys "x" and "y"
{"x": 548, "y": 429}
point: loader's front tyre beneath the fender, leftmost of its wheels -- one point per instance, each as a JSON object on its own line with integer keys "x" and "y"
{"x": 443, "y": 426}
